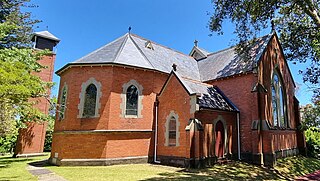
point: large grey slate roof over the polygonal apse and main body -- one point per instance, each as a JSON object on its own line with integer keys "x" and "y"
{"x": 130, "y": 50}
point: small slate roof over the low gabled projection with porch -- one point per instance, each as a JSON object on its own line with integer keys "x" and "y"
{"x": 210, "y": 97}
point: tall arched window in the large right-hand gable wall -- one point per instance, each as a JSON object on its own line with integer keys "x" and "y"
{"x": 278, "y": 102}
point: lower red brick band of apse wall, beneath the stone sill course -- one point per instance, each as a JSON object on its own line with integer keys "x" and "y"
{"x": 106, "y": 145}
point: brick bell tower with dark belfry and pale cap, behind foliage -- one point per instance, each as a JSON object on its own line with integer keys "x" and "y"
{"x": 31, "y": 139}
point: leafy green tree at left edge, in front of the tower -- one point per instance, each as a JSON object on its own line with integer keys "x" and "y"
{"x": 18, "y": 62}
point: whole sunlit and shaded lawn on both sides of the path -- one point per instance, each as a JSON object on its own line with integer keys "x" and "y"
{"x": 288, "y": 168}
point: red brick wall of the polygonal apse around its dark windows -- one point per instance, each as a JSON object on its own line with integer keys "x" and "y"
{"x": 107, "y": 145}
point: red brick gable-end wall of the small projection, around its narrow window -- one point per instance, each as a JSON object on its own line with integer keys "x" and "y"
{"x": 174, "y": 98}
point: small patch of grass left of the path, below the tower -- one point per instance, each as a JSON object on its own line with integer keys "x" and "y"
{"x": 15, "y": 168}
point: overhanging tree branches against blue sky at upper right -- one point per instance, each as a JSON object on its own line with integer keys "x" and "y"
{"x": 296, "y": 21}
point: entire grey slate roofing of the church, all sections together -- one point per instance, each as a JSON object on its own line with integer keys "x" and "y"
{"x": 131, "y": 50}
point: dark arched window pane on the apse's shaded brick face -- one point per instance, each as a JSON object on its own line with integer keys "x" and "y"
{"x": 90, "y": 98}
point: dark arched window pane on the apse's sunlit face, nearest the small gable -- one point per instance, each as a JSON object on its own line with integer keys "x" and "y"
{"x": 132, "y": 100}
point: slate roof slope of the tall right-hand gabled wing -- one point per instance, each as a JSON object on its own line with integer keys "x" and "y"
{"x": 227, "y": 62}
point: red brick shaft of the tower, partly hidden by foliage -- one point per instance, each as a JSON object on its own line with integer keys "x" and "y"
{"x": 31, "y": 139}
